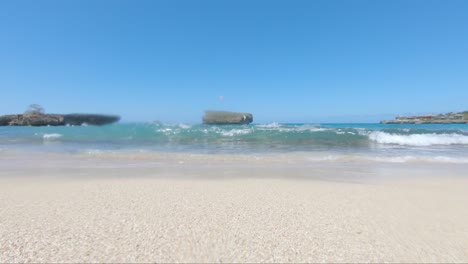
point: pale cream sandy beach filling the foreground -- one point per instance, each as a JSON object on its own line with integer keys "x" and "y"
{"x": 254, "y": 215}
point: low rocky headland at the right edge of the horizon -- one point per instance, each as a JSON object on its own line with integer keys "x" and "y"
{"x": 449, "y": 118}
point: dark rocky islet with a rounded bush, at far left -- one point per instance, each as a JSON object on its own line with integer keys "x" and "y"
{"x": 35, "y": 116}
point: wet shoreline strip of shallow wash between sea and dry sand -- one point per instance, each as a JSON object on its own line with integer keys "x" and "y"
{"x": 215, "y": 166}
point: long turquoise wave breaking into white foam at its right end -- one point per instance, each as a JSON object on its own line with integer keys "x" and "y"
{"x": 307, "y": 135}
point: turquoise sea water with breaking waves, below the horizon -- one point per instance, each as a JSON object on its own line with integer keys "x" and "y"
{"x": 446, "y": 143}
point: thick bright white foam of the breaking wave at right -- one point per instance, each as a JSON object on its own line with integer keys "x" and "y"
{"x": 418, "y": 140}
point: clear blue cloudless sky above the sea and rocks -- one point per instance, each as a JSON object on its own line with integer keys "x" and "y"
{"x": 283, "y": 61}
